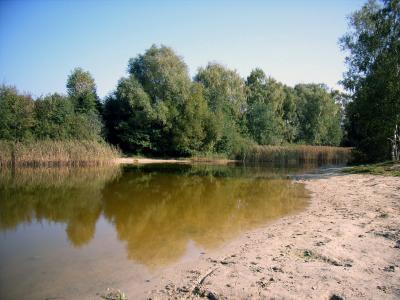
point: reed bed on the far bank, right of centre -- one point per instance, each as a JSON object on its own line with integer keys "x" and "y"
{"x": 297, "y": 154}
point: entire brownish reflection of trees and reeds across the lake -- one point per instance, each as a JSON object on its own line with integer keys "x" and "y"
{"x": 156, "y": 211}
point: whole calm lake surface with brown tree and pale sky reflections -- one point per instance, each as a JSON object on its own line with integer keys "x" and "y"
{"x": 71, "y": 232}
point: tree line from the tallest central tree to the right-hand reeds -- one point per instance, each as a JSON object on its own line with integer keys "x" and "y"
{"x": 159, "y": 109}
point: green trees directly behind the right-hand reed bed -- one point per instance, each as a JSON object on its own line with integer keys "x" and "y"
{"x": 279, "y": 114}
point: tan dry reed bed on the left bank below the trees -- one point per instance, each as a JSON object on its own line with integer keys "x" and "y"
{"x": 56, "y": 153}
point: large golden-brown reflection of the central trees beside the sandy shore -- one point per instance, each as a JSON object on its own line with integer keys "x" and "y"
{"x": 158, "y": 213}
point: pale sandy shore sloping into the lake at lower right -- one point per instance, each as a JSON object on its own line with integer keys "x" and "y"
{"x": 346, "y": 244}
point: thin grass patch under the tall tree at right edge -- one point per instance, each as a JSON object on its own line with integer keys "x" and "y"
{"x": 388, "y": 168}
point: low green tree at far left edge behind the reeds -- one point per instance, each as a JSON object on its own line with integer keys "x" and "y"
{"x": 16, "y": 115}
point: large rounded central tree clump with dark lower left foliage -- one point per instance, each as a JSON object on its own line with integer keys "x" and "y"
{"x": 157, "y": 110}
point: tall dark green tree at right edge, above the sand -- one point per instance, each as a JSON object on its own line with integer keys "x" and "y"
{"x": 373, "y": 77}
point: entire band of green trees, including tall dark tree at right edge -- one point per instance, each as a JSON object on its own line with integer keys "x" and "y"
{"x": 157, "y": 109}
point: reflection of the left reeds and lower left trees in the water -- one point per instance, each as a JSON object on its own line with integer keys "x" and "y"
{"x": 70, "y": 196}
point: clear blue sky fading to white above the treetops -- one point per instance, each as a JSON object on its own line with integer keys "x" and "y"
{"x": 293, "y": 41}
